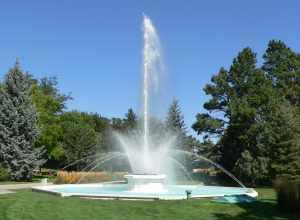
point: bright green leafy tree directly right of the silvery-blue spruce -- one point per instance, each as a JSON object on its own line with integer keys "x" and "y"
{"x": 50, "y": 104}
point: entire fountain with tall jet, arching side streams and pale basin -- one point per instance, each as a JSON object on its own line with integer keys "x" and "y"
{"x": 151, "y": 160}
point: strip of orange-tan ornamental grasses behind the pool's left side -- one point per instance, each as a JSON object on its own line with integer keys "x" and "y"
{"x": 65, "y": 177}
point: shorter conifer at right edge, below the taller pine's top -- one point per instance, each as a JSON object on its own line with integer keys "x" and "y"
{"x": 284, "y": 139}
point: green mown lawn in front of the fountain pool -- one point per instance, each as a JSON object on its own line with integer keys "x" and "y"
{"x": 25, "y": 205}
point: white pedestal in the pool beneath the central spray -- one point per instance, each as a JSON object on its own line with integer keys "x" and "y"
{"x": 146, "y": 182}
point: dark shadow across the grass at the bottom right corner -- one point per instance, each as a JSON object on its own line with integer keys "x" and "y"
{"x": 259, "y": 210}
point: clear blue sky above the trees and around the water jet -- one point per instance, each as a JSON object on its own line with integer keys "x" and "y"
{"x": 94, "y": 47}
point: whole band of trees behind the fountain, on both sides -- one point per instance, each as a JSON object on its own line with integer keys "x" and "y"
{"x": 251, "y": 125}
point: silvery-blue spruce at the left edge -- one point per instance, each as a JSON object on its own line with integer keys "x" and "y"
{"x": 18, "y": 126}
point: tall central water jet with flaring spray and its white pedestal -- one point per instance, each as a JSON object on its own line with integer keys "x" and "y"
{"x": 146, "y": 160}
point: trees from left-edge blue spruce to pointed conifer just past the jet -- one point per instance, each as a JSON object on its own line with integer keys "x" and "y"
{"x": 36, "y": 130}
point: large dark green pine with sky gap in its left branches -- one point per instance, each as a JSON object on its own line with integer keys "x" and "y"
{"x": 240, "y": 98}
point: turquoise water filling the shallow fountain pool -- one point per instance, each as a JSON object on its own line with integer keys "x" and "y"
{"x": 170, "y": 192}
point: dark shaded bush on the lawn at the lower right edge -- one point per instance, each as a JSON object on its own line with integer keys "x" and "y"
{"x": 288, "y": 193}
